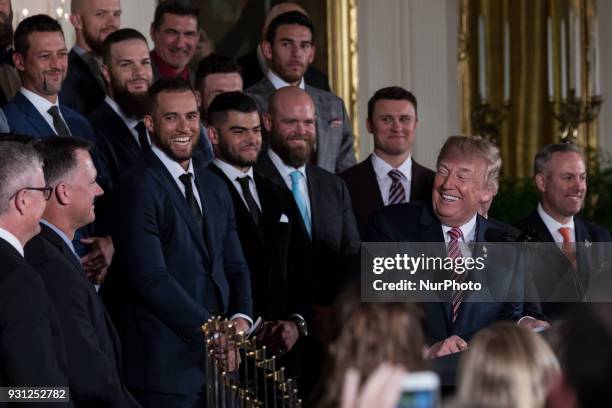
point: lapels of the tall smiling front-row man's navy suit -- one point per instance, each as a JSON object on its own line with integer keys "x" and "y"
{"x": 163, "y": 177}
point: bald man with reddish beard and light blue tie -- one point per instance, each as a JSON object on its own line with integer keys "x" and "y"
{"x": 321, "y": 197}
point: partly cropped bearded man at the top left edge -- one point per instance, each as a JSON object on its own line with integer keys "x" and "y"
{"x": 9, "y": 79}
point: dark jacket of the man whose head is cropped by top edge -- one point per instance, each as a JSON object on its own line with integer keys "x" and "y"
{"x": 80, "y": 90}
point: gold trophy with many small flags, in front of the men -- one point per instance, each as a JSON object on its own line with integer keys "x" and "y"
{"x": 258, "y": 382}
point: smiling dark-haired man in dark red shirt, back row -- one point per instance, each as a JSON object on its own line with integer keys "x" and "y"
{"x": 175, "y": 33}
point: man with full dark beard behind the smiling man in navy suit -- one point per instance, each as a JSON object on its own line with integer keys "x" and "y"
{"x": 117, "y": 121}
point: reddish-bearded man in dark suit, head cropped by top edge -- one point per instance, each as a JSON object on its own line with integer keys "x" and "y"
{"x": 93, "y": 20}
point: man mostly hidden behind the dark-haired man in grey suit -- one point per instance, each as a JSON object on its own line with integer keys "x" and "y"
{"x": 254, "y": 65}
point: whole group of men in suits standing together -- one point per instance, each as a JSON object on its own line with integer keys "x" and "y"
{"x": 138, "y": 198}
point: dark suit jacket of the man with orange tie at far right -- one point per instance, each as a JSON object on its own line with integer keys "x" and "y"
{"x": 559, "y": 284}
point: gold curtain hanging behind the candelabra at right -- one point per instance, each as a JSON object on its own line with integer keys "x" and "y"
{"x": 529, "y": 123}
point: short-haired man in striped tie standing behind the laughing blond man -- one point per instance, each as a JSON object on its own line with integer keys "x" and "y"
{"x": 390, "y": 175}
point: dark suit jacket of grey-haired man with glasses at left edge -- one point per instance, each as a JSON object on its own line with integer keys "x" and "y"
{"x": 32, "y": 350}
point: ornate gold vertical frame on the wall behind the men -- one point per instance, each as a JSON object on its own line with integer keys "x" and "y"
{"x": 343, "y": 57}
